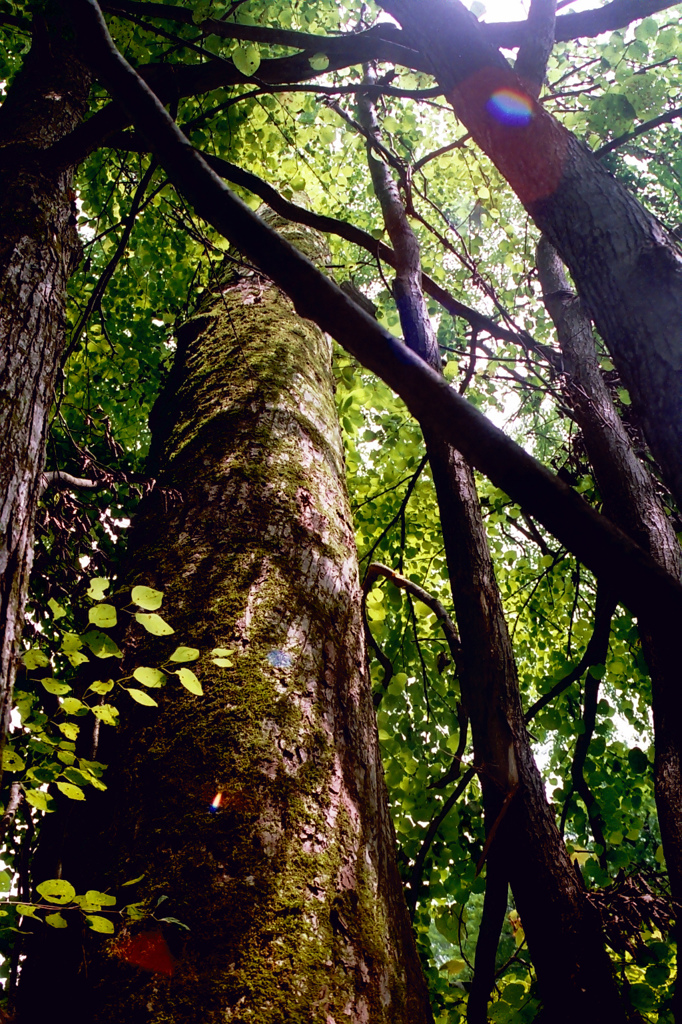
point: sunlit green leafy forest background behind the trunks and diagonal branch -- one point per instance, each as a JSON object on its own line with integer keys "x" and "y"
{"x": 296, "y": 138}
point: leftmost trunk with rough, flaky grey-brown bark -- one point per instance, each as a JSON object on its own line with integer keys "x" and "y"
{"x": 39, "y": 249}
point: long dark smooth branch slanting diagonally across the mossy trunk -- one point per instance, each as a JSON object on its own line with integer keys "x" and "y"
{"x": 605, "y": 549}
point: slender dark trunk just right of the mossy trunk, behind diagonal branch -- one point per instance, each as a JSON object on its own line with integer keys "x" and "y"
{"x": 574, "y": 971}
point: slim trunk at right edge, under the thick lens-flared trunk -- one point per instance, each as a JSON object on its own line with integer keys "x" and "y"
{"x": 630, "y": 498}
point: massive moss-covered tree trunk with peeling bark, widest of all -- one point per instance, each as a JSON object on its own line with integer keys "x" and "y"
{"x": 291, "y": 888}
